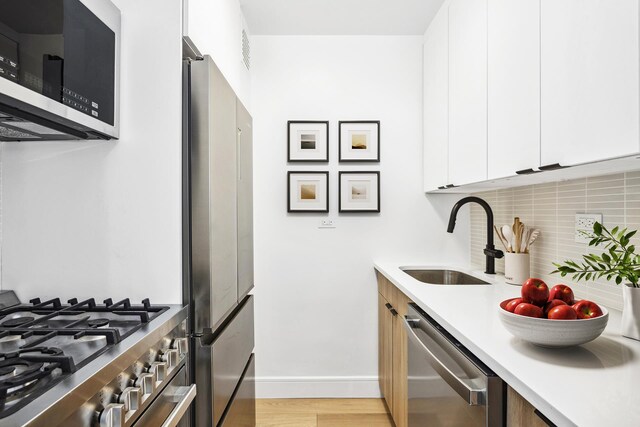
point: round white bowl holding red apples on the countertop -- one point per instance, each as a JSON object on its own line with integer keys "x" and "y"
{"x": 553, "y": 333}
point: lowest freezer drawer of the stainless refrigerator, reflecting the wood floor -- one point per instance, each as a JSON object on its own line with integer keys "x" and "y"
{"x": 242, "y": 411}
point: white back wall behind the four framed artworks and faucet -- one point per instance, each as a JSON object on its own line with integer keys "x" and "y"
{"x": 316, "y": 294}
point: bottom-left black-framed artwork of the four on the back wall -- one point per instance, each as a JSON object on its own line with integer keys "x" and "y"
{"x": 308, "y": 192}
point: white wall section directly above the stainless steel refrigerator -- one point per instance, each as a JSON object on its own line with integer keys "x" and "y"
{"x": 215, "y": 26}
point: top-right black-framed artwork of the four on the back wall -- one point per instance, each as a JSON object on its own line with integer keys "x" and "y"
{"x": 359, "y": 141}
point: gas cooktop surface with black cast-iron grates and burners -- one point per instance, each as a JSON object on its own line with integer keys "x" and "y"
{"x": 43, "y": 342}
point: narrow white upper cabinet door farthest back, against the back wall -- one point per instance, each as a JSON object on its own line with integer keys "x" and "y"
{"x": 436, "y": 102}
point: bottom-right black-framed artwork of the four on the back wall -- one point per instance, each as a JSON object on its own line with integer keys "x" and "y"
{"x": 359, "y": 191}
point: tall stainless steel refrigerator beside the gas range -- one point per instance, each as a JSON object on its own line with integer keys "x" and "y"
{"x": 218, "y": 246}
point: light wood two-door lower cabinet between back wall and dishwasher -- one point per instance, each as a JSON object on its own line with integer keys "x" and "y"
{"x": 392, "y": 349}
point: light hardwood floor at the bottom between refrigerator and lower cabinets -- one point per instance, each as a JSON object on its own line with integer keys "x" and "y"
{"x": 322, "y": 413}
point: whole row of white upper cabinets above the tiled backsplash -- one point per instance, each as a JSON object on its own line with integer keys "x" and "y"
{"x": 530, "y": 84}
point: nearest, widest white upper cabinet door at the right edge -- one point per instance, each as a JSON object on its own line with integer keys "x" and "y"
{"x": 589, "y": 80}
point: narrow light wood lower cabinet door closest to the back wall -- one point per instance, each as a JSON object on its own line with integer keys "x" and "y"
{"x": 385, "y": 351}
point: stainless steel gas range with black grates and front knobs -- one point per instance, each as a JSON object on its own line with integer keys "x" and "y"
{"x": 81, "y": 363}
